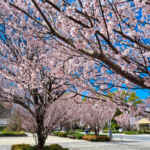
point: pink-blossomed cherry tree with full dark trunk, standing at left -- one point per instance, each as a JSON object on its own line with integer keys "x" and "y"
{"x": 32, "y": 80}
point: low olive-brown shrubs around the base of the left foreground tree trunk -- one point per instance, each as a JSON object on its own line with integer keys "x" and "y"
{"x": 28, "y": 147}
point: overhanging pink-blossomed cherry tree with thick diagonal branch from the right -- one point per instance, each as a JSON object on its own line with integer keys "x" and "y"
{"x": 111, "y": 34}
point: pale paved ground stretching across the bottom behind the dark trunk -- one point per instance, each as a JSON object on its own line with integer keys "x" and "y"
{"x": 120, "y": 142}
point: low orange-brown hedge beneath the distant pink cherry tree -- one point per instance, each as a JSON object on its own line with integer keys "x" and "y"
{"x": 96, "y": 138}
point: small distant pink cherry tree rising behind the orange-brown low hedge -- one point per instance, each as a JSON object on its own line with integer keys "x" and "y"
{"x": 97, "y": 114}
